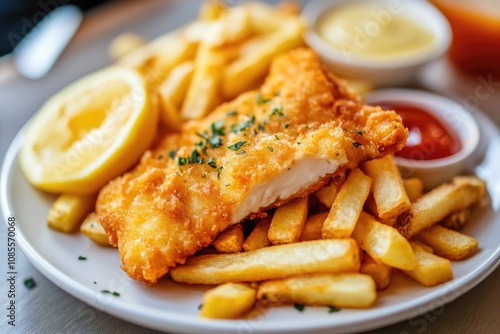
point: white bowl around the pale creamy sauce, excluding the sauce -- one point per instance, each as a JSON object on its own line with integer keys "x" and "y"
{"x": 380, "y": 72}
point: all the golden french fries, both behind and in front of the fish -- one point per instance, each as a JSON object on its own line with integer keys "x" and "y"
{"x": 337, "y": 247}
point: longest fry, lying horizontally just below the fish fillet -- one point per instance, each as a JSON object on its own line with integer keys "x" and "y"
{"x": 275, "y": 262}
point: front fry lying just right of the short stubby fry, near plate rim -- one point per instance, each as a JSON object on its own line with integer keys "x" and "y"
{"x": 340, "y": 290}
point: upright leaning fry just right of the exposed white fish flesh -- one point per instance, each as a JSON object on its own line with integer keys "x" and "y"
{"x": 347, "y": 206}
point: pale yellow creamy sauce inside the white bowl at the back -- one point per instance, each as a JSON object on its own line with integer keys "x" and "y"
{"x": 373, "y": 31}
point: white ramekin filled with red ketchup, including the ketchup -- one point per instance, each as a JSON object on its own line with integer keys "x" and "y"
{"x": 443, "y": 134}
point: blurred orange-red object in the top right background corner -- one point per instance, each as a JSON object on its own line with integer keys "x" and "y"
{"x": 475, "y": 48}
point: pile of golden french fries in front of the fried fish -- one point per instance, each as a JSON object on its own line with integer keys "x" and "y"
{"x": 341, "y": 251}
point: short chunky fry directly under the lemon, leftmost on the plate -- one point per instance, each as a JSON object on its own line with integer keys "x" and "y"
{"x": 68, "y": 212}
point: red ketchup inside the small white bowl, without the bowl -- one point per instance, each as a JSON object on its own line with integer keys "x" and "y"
{"x": 429, "y": 138}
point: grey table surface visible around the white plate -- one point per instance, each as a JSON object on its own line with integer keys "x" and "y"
{"x": 47, "y": 308}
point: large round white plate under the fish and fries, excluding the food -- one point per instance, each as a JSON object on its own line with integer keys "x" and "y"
{"x": 172, "y": 307}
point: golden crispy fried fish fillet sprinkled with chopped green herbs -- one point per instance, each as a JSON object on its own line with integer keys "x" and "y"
{"x": 266, "y": 147}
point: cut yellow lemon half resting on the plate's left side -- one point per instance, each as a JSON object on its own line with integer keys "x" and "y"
{"x": 89, "y": 132}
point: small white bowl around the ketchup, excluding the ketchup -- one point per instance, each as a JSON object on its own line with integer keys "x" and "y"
{"x": 451, "y": 114}
